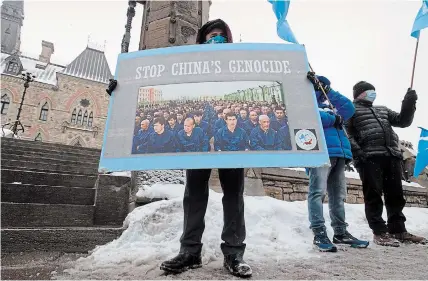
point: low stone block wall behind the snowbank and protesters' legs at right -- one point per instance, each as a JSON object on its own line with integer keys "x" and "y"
{"x": 292, "y": 185}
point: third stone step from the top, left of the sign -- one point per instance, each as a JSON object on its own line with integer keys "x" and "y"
{"x": 82, "y": 169}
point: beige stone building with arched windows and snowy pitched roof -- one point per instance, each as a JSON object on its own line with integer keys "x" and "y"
{"x": 65, "y": 103}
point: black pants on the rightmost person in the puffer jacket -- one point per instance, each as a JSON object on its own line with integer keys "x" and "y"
{"x": 383, "y": 174}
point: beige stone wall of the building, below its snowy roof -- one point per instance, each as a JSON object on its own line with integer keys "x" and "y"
{"x": 61, "y": 100}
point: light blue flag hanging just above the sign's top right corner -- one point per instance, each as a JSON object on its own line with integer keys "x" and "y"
{"x": 280, "y": 8}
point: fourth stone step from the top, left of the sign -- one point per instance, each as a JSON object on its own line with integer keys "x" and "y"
{"x": 44, "y": 178}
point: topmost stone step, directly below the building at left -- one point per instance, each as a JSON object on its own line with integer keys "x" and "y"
{"x": 48, "y": 146}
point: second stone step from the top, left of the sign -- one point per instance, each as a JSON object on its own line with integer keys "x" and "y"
{"x": 49, "y": 154}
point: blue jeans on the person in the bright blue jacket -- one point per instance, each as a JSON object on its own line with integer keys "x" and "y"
{"x": 333, "y": 180}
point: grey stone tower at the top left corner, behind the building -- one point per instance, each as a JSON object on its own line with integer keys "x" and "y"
{"x": 12, "y": 18}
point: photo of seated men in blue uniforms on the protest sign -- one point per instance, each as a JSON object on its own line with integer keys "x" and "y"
{"x": 211, "y": 117}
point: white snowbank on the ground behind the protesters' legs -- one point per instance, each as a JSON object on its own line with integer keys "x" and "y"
{"x": 277, "y": 233}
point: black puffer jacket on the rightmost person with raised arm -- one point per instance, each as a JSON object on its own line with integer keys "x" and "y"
{"x": 370, "y": 129}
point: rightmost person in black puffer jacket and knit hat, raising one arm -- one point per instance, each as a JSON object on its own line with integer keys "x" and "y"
{"x": 377, "y": 157}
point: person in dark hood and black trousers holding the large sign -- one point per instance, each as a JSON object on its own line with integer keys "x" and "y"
{"x": 196, "y": 198}
